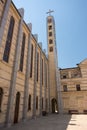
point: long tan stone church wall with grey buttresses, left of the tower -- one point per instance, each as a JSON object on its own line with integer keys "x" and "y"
{"x": 24, "y": 91}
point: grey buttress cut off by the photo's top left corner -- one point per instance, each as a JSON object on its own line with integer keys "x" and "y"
{"x": 4, "y": 19}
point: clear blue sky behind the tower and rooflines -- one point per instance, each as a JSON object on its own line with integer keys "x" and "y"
{"x": 71, "y": 26}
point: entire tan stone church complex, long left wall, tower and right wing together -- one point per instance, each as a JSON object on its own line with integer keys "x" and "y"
{"x": 30, "y": 81}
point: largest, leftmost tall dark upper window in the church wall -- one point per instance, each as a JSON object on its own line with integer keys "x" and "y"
{"x": 9, "y": 40}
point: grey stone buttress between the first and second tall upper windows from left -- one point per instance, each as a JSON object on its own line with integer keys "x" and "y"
{"x": 14, "y": 74}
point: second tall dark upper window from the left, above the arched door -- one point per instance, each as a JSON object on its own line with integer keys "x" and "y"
{"x": 22, "y": 53}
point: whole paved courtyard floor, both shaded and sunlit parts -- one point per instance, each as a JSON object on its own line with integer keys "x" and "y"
{"x": 53, "y": 122}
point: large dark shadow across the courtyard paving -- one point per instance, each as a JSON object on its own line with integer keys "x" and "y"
{"x": 49, "y": 122}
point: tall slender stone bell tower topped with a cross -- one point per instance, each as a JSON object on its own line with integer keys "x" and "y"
{"x": 53, "y": 64}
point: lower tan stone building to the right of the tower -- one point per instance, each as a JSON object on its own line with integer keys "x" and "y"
{"x": 74, "y": 88}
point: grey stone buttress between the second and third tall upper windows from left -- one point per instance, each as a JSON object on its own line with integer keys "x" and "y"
{"x": 26, "y": 89}
